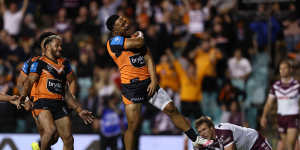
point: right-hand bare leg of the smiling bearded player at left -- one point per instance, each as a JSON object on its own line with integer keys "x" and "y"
{"x": 64, "y": 129}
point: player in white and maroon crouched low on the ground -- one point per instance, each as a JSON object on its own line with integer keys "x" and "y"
{"x": 228, "y": 136}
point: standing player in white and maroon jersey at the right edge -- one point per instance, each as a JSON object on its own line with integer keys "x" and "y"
{"x": 287, "y": 93}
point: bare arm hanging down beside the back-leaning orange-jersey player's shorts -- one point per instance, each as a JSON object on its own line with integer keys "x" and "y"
{"x": 151, "y": 68}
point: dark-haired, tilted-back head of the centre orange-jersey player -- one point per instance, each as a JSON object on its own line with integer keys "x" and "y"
{"x": 118, "y": 24}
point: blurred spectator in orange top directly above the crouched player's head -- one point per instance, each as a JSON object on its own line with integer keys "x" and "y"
{"x": 206, "y": 58}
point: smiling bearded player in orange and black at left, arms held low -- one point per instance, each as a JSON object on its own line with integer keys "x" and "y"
{"x": 53, "y": 74}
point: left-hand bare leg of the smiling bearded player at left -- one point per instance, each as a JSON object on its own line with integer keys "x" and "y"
{"x": 46, "y": 122}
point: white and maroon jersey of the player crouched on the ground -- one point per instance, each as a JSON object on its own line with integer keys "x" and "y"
{"x": 243, "y": 138}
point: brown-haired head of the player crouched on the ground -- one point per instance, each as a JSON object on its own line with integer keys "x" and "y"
{"x": 205, "y": 127}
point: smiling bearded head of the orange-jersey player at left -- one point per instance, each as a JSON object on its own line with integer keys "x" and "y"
{"x": 52, "y": 45}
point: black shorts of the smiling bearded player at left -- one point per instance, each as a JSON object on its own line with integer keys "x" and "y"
{"x": 58, "y": 108}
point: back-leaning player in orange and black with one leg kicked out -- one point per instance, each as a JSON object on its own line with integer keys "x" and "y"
{"x": 139, "y": 81}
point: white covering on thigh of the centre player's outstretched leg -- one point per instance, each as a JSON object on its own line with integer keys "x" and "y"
{"x": 160, "y": 99}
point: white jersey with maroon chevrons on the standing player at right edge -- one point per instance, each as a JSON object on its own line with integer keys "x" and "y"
{"x": 287, "y": 96}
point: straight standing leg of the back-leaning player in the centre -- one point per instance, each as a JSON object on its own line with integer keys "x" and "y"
{"x": 133, "y": 113}
